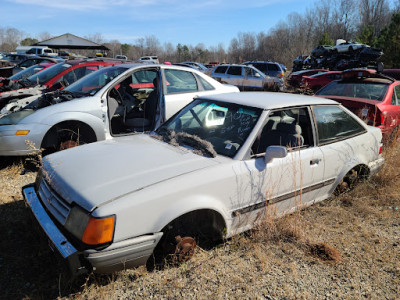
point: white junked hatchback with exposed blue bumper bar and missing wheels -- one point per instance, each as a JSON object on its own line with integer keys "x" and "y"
{"x": 211, "y": 171}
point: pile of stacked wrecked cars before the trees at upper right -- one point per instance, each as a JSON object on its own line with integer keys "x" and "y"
{"x": 344, "y": 55}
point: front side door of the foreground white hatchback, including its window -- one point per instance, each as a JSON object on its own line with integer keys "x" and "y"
{"x": 282, "y": 184}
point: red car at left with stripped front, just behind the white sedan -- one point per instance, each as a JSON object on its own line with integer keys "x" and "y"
{"x": 53, "y": 78}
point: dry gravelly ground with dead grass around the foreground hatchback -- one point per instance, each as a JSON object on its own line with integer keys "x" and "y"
{"x": 347, "y": 247}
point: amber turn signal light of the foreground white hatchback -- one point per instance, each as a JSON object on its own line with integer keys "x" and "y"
{"x": 99, "y": 231}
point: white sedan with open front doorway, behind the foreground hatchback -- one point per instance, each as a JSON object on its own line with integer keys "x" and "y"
{"x": 113, "y": 101}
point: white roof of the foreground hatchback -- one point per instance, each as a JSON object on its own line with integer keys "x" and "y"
{"x": 268, "y": 100}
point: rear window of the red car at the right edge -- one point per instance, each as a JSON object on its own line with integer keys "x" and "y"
{"x": 360, "y": 89}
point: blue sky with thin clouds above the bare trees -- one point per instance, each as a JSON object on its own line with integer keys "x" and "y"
{"x": 177, "y": 21}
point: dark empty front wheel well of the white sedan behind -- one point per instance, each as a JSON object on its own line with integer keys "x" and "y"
{"x": 51, "y": 139}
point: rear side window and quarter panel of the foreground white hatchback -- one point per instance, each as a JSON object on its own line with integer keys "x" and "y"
{"x": 340, "y": 138}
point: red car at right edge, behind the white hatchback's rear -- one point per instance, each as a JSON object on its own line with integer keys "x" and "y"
{"x": 372, "y": 96}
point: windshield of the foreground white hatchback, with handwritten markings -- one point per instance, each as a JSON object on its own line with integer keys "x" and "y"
{"x": 225, "y": 125}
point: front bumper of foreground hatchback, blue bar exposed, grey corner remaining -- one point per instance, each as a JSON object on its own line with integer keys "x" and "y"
{"x": 118, "y": 256}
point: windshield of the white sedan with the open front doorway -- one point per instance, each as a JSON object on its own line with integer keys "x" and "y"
{"x": 92, "y": 83}
